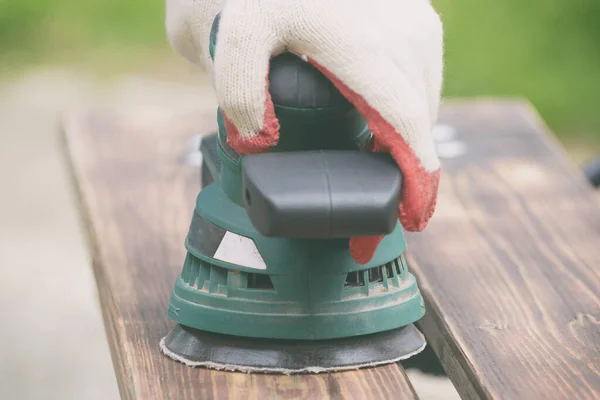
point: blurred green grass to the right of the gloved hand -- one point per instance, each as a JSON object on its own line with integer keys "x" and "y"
{"x": 545, "y": 50}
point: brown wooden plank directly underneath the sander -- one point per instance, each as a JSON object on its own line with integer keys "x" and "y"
{"x": 137, "y": 194}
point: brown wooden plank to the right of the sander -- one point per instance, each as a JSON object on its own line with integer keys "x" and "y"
{"x": 510, "y": 263}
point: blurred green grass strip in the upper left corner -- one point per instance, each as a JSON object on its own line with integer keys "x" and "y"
{"x": 40, "y": 30}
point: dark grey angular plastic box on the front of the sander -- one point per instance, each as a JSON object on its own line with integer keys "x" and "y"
{"x": 321, "y": 194}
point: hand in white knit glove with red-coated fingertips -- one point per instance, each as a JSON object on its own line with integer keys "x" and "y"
{"x": 385, "y": 56}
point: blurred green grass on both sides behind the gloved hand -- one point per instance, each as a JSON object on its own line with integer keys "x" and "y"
{"x": 545, "y": 50}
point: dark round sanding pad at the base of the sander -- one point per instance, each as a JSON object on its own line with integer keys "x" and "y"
{"x": 197, "y": 348}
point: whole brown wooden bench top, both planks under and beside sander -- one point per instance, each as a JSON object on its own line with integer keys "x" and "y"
{"x": 509, "y": 265}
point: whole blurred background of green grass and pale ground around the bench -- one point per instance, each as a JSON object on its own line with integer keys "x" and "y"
{"x": 64, "y": 55}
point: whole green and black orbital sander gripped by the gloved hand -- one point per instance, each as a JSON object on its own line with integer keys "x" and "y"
{"x": 268, "y": 283}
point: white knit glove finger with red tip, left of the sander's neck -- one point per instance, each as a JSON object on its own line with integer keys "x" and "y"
{"x": 245, "y": 44}
